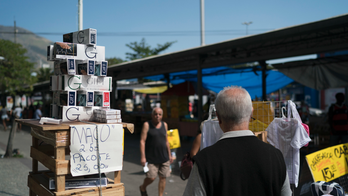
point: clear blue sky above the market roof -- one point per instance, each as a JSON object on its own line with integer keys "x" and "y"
{"x": 159, "y": 21}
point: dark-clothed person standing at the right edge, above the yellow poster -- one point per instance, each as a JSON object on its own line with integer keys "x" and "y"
{"x": 338, "y": 120}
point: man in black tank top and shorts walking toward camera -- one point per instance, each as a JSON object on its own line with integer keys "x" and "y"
{"x": 155, "y": 151}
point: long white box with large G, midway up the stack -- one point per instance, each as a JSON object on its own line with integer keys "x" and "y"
{"x": 84, "y": 82}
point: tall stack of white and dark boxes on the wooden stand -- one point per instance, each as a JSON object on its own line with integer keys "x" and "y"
{"x": 80, "y": 84}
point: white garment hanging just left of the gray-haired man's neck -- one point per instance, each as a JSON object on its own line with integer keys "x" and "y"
{"x": 211, "y": 133}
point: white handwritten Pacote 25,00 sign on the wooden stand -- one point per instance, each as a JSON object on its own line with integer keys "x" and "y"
{"x": 83, "y": 148}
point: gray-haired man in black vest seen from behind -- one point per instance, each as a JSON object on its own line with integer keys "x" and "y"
{"x": 239, "y": 164}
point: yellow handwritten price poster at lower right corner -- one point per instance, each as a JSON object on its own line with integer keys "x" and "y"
{"x": 329, "y": 163}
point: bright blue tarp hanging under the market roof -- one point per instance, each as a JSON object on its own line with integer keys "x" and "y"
{"x": 215, "y": 79}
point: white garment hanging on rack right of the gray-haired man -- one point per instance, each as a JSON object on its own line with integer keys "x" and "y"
{"x": 289, "y": 135}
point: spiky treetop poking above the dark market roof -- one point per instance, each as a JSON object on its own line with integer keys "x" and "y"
{"x": 142, "y": 49}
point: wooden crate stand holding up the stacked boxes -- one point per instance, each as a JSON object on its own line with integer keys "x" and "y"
{"x": 56, "y": 140}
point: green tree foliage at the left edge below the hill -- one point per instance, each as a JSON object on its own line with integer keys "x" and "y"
{"x": 15, "y": 69}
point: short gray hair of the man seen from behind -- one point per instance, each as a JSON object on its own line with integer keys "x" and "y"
{"x": 233, "y": 105}
